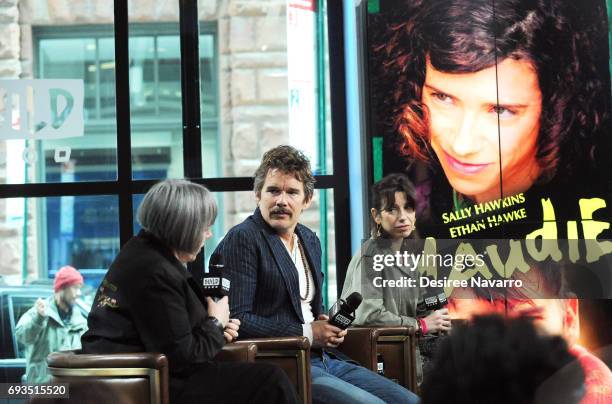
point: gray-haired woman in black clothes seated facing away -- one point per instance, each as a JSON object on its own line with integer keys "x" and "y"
{"x": 149, "y": 302}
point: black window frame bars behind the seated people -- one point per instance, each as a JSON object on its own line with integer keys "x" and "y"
{"x": 124, "y": 187}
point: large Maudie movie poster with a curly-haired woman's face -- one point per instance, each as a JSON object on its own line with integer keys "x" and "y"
{"x": 499, "y": 113}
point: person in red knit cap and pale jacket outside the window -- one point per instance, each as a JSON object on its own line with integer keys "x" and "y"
{"x": 53, "y": 324}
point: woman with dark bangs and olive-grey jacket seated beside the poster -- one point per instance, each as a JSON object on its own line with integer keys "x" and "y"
{"x": 393, "y": 216}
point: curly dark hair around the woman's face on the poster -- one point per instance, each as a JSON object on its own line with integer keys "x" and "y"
{"x": 466, "y": 36}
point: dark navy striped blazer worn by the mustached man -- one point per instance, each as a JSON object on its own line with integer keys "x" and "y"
{"x": 264, "y": 293}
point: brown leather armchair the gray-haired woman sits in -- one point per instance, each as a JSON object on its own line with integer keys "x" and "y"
{"x": 124, "y": 378}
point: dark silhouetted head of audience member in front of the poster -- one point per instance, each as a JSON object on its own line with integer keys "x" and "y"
{"x": 501, "y": 360}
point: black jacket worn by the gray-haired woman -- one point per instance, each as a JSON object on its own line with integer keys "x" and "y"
{"x": 148, "y": 302}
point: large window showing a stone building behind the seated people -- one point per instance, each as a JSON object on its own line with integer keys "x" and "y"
{"x": 262, "y": 80}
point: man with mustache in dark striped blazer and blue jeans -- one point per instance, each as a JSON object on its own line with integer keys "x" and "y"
{"x": 274, "y": 265}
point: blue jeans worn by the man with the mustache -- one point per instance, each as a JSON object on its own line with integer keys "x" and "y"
{"x": 336, "y": 381}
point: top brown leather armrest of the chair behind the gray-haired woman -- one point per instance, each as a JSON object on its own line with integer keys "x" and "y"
{"x": 74, "y": 359}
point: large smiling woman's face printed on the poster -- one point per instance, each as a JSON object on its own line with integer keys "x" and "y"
{"x": 484, "y": 124}
